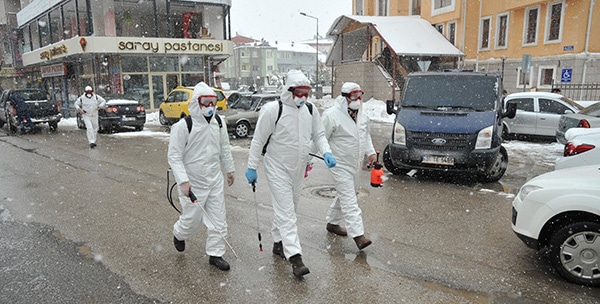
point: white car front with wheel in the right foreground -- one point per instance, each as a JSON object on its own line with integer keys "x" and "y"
{"x": 560, "y": 211}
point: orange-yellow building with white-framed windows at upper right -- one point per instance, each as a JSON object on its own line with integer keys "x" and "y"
{"x": 535, "y": 45}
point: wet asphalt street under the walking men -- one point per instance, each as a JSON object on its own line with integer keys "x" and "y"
{"x": 93, "y": 226}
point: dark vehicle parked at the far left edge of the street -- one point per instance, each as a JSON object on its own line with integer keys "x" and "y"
{"x": 41, "y": 109}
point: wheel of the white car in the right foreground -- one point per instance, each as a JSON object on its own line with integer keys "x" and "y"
{"x": 575, "y": 253}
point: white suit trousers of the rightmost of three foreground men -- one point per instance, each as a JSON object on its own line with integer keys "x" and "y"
{"x": 345, "y": 206}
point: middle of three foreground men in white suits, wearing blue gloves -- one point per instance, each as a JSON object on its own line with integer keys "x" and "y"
{"x": 289, "y": 141}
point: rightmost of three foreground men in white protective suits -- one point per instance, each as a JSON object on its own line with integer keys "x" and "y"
{"x": 347, "y": 130}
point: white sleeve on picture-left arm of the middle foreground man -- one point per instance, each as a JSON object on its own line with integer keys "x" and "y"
{"x": 264, "y": 128}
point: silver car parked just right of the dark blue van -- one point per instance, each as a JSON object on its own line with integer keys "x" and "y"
{"x": 537, "y": 114}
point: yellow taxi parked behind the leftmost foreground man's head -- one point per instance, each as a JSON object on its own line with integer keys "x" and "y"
{"x": 175, "y": 105}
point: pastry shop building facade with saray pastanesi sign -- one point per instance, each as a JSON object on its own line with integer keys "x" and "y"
{"x": 142, "y": 49}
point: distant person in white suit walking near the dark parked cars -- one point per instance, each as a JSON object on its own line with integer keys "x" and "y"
{"x": 88, "y": 105}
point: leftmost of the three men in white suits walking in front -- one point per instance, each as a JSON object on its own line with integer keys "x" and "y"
{"x": 195, "y": 157}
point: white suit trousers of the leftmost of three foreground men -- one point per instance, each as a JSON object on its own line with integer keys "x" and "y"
{"x": 192, "y": 217}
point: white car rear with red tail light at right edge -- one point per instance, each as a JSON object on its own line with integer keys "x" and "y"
{"x": 582, "y": 148}
